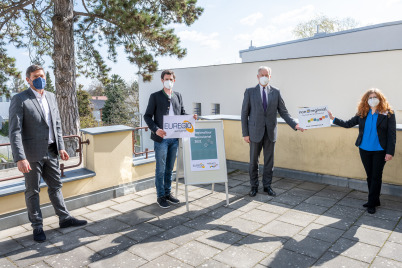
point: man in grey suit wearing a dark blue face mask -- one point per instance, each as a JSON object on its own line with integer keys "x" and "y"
{"x": 36, "y": 142}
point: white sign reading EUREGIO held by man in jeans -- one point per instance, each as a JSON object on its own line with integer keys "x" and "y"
{"x": 178, "y": 126}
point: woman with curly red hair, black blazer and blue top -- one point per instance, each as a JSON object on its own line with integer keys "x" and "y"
{"x": 376, "y": 140}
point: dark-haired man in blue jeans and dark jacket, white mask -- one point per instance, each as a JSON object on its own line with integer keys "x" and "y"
{"x": 164, "y": 102}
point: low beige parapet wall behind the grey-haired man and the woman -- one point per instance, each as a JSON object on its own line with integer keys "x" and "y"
{"x": 330, "y": 151}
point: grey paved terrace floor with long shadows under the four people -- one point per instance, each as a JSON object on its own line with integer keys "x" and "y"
{"x": 307, "y": 224}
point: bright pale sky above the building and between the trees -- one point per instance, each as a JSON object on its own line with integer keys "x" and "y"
{"x": 228, "y": 26}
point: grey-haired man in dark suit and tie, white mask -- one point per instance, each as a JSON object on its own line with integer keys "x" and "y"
{"x": 259, "y": 126}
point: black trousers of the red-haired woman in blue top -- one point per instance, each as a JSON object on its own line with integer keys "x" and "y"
{"x": 373, "y": 163}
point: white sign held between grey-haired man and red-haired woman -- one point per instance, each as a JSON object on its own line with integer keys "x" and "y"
{"x": 314, "y": 117}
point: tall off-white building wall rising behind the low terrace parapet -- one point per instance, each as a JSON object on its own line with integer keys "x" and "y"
{"x": 337, "y": 81}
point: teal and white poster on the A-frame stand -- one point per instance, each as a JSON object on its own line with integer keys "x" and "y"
{"x": 204, "y": 150}
